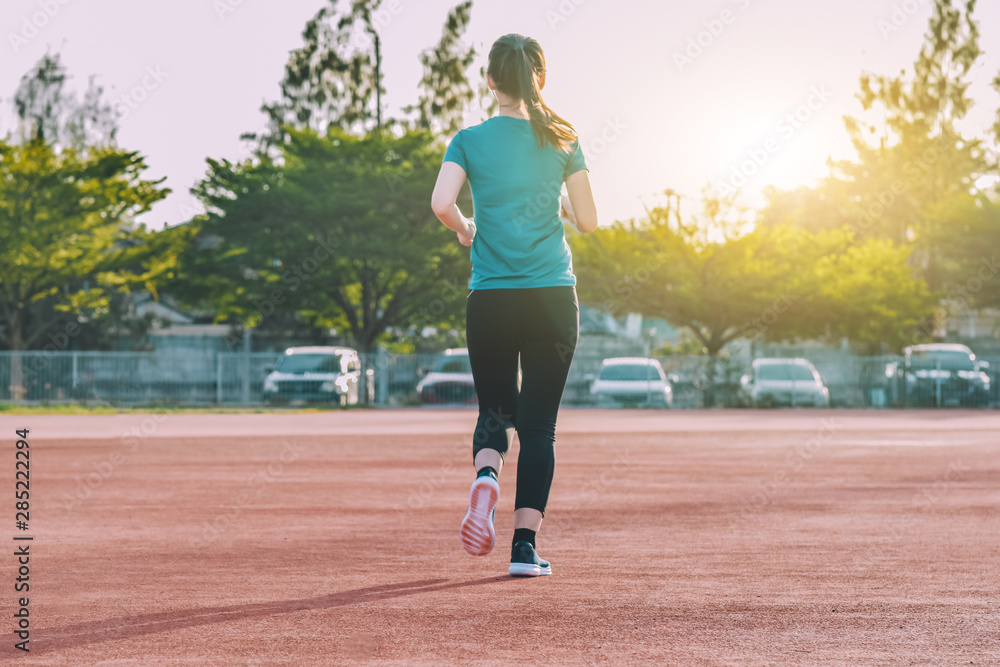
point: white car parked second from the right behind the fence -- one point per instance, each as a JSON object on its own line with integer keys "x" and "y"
{"x": 778, "y": 382}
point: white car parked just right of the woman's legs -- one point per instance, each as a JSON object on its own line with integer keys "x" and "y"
{"x": 631, "y": 382}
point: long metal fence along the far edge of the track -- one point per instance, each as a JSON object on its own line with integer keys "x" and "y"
{"x": 237, "y": 378}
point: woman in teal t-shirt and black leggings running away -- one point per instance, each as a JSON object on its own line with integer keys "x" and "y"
{"x": 522, "y": 304}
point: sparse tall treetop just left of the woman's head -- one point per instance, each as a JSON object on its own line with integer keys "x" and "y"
{"x": 445, "y": 89}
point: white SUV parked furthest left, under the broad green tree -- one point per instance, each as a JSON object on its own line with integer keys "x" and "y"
{"x": 315, "y": 374}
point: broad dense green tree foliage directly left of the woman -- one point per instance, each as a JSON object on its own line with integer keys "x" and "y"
{"x": 341, "y": 234}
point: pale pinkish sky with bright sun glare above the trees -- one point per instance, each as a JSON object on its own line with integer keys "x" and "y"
{"x": 669, "y": 94}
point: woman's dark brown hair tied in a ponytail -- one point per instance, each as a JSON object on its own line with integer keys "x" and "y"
{"x": 516, "y": 64}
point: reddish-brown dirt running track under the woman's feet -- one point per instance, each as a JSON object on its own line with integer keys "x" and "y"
{"x": 684, "y": 538}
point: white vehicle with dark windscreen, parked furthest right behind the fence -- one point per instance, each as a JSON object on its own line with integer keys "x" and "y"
{"x": 938, "y": 375}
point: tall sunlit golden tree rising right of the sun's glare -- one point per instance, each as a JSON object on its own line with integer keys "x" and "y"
{"x": 912, "y": 157}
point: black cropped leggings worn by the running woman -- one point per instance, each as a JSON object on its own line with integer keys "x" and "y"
{"x": 541, "y": 325}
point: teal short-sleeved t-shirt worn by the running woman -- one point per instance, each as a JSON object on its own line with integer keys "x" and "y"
{"x": 515, "y": 184}
